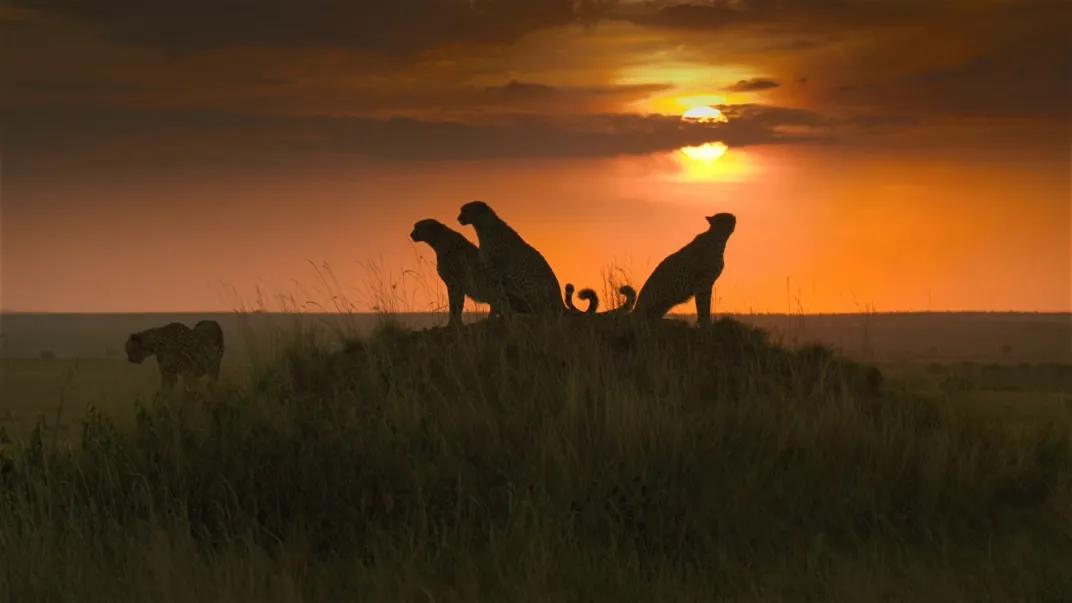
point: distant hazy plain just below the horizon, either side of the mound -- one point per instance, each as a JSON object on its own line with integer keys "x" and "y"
{"x": 918, "y": 339}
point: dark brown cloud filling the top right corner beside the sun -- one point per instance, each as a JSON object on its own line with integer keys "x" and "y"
{"x": 952, "y": 61}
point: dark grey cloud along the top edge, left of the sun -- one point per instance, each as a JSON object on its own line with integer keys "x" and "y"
{"x": 380, "y": 26}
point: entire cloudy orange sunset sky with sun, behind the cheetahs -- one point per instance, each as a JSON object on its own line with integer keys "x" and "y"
{"x": 204, "y": 156}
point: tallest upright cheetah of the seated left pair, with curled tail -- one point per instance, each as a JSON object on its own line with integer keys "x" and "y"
{"x": 522, "y": 274}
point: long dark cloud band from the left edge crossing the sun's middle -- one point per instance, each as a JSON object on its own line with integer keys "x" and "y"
{"x": 115, "y": 137}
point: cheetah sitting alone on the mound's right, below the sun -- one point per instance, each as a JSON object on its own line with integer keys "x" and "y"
{"x": 690, "y": 272}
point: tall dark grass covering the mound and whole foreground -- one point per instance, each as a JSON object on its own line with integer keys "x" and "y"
{"x": 576, "y": 460}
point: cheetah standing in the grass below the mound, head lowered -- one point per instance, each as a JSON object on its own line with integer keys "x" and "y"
{"x": 181, "y": 351}
